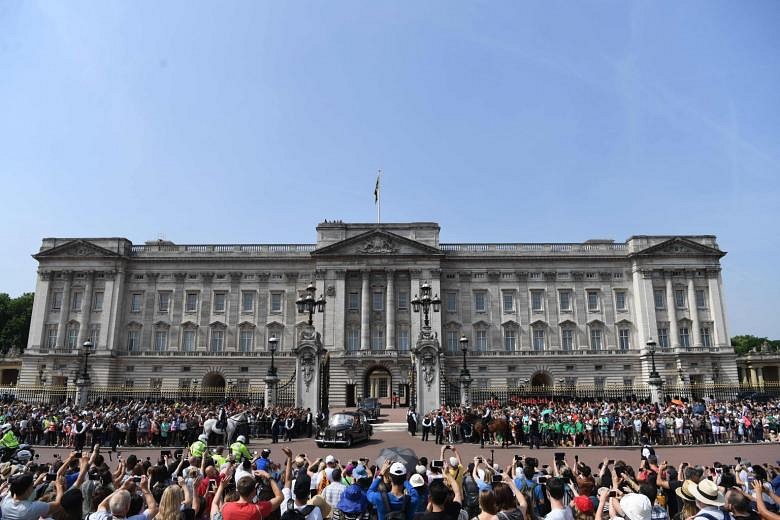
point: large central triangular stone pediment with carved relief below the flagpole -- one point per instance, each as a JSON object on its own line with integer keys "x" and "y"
{"x": 378, "y": 242}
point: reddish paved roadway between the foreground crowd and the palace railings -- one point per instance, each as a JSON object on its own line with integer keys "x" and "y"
{"x": 390, "y": 432}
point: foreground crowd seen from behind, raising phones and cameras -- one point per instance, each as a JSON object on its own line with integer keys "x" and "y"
{"x": 280, "y": 486}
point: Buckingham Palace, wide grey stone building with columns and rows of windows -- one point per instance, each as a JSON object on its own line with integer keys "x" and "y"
{"x": 163, "y": 313}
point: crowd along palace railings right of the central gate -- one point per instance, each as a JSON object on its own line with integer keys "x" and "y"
{"x": 601, "y": 423}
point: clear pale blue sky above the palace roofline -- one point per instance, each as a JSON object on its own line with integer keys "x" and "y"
{"x": 503, "y": 121}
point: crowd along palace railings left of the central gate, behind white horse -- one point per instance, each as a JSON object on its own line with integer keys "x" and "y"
{"x": 143, "y": 423}
